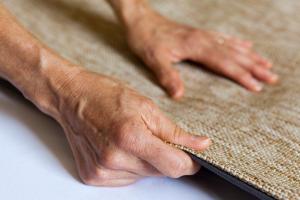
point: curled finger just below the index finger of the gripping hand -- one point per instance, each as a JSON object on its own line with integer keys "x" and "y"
{"x": 119, "y": 160}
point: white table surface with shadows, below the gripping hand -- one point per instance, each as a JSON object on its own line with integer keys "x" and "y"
{"x": 36, "y": 164}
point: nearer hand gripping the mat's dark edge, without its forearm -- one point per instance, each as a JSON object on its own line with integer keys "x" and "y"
{"x": 117, "y": 136}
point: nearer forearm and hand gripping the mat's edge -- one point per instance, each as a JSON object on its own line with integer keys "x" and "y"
{"x": 117, "y": 136}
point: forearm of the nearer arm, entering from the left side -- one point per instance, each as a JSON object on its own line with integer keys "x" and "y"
{"x": 30, "y": 66}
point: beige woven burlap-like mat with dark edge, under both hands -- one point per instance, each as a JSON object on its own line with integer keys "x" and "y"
{"x": 256, "y": 136}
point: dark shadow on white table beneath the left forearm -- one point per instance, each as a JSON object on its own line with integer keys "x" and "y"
{"x": 45, "y": 128}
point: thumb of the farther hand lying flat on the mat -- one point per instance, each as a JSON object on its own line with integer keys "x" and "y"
{"x": 168, "y": 78}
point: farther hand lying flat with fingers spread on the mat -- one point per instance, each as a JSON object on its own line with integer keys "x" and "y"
{"x": 160, "y": 42}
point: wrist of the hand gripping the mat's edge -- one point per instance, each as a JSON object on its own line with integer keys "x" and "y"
{"x": 54, "y": 74}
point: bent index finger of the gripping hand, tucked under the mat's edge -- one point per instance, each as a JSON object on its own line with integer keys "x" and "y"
{"x": 170, "y": 161}
